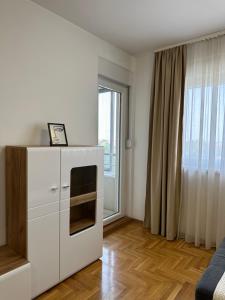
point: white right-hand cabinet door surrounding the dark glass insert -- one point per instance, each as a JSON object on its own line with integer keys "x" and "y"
{"x": 82, "y": 248}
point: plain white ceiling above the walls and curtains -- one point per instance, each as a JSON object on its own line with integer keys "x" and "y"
{"x": 138, "y": 25}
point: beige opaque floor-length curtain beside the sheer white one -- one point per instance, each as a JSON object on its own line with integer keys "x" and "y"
{"x": 165, "y": 143}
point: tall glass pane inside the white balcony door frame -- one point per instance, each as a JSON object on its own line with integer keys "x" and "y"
{"x": 109, "y": 126}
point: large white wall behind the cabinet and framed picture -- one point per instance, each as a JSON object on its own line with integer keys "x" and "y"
{"x": 48, "y": 72}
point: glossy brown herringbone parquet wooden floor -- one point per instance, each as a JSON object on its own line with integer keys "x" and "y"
{"x": 137, "y": 265}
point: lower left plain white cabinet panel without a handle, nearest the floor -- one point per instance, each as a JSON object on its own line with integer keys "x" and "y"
{"x": 43, "y": 252}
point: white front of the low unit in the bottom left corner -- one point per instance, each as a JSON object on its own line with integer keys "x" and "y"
{"x": 15, "y": 285}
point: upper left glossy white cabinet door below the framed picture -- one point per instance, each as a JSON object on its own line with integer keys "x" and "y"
{"x": 43, "y": 176}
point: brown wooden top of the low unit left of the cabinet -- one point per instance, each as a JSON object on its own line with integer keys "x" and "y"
{"x": 10, "y": 260}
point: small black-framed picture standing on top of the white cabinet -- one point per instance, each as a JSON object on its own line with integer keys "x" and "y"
{"x": 57, "y": 134}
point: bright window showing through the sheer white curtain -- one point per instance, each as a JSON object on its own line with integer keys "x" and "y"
{"x": 203, "y": 126}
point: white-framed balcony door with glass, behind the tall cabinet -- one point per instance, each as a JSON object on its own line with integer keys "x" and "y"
{"x": 112, "y": 111}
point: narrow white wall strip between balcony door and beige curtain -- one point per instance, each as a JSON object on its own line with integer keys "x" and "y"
{"x": 144, "y": 68}
